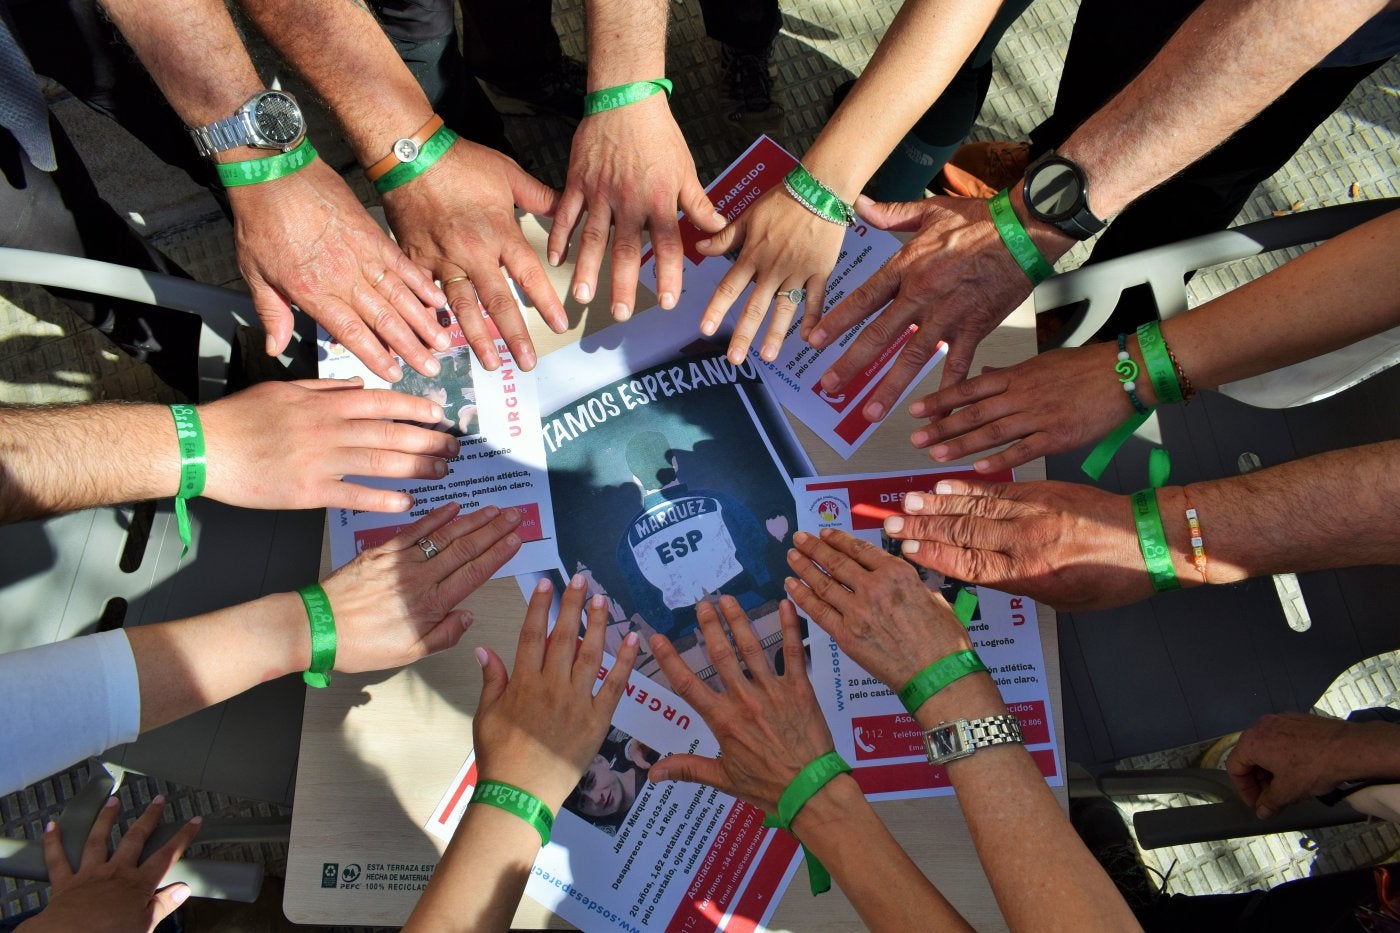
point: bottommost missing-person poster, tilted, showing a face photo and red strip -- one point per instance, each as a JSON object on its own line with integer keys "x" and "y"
{"x": 631, "y": 855}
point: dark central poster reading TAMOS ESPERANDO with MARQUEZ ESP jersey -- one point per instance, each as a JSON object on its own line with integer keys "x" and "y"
{"x": 671, "y": 481}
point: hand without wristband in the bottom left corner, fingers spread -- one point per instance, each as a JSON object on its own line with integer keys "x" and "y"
{"x": 120, "y": 893}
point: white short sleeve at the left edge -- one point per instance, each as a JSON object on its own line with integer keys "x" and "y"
{"x": 65, "y": 703}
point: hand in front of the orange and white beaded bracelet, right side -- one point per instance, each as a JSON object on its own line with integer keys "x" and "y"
{"x": 1070, "y": 546}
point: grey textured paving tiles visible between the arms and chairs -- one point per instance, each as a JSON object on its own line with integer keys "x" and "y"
{"x": 48, "y": 357}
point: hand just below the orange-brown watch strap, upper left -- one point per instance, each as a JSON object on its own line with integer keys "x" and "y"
{"x": 458, "y": 219}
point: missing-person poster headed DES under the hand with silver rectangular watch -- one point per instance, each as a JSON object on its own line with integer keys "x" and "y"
{"x": 870, "y": 725}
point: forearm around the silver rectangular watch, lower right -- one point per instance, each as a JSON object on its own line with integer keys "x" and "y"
{"x": 1042, "y": 875}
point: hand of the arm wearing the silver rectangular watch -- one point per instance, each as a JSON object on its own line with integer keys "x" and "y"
{"x": 874, "y": 604}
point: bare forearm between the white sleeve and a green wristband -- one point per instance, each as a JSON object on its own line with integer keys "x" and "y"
{"x": 194, "y": 663}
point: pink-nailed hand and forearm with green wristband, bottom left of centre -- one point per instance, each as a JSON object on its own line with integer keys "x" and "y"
{"x": 535, "y": 732}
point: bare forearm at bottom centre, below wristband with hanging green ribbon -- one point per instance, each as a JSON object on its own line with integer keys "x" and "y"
{"x": 878, "y": 878}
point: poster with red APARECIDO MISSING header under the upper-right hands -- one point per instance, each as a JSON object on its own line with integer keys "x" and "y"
{"x": 794, "y": 376}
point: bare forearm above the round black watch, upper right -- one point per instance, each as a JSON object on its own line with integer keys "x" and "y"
{"x": 1177, "y": 110}
